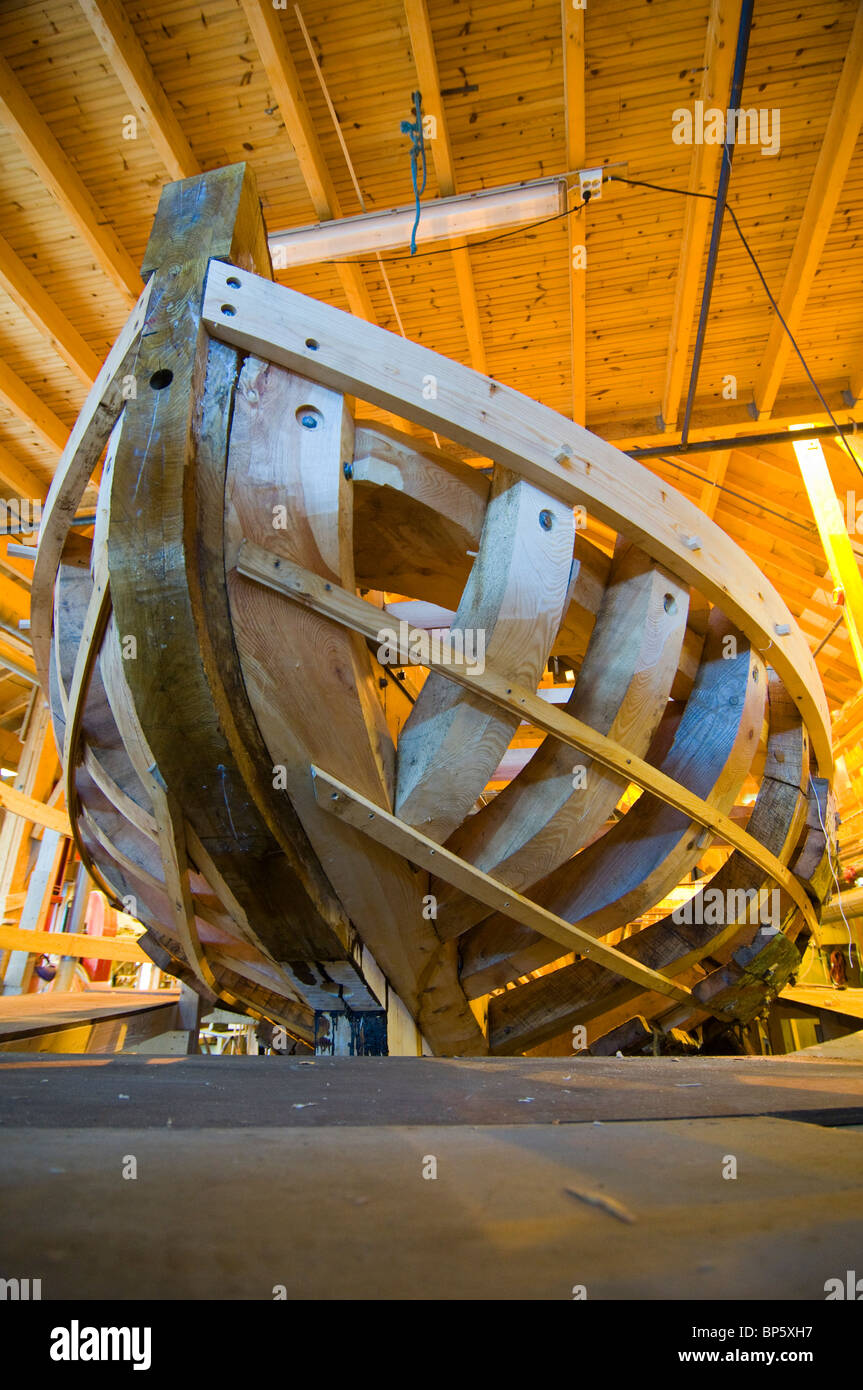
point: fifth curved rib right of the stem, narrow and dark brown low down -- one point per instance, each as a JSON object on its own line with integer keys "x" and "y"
{"x": 579, "y": 993}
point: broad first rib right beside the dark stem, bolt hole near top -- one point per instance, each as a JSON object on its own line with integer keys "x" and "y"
{"x": 312, "y": 692}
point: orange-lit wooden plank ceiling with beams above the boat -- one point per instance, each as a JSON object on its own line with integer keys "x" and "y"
{"x": 519, "y": 97}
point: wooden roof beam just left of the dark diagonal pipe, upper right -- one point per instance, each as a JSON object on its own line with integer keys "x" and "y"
{"x": 723, "y": 23}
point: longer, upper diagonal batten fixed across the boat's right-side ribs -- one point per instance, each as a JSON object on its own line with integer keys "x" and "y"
{"x": 268, "y": 568}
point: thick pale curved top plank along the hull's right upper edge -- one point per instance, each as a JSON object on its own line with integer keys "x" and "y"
{"x": 533, "y": 441}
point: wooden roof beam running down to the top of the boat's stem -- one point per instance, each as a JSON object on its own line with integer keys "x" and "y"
{"x": 131, "y": 65}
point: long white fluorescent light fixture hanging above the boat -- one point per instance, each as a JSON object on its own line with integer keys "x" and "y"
{"x": 469, "y": 215}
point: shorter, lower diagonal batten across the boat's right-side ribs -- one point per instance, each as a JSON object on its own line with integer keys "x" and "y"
{"x": 358, "y": 811}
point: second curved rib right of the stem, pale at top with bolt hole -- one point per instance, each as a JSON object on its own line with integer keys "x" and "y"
{"x": 515, "y": 601}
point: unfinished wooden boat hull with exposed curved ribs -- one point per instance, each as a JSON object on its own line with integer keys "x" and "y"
{"x": 297, "y": 826}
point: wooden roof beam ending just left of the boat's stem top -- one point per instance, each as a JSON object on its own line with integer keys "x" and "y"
{"x": 49, "y": 163}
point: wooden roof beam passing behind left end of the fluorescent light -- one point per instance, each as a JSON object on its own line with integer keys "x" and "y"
{"x": 281, "y": 73}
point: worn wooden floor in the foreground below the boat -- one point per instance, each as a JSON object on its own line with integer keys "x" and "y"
{"x": 258, "y": 1172}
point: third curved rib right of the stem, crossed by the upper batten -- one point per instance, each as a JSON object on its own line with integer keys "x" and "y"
{"x": 545, "y": 815}
